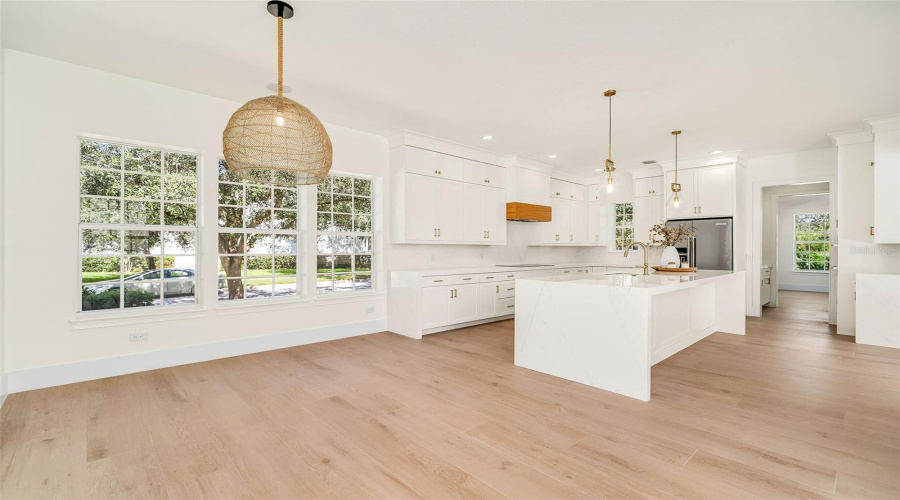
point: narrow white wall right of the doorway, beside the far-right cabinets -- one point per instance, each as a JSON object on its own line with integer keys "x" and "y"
{"x": 857, "y": 251}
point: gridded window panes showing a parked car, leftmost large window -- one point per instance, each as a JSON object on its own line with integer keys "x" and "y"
{"x": 138, "y": 226}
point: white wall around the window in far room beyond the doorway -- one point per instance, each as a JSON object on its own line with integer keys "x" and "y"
{"x": 788, "y": 279}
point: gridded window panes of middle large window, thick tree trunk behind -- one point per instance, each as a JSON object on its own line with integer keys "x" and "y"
{"x": 258, "y": 238}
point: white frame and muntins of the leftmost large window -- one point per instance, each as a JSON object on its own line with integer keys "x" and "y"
{"x": 79, "y": 227}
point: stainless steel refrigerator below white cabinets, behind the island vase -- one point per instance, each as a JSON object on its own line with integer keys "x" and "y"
{"x": 712, "y": 247}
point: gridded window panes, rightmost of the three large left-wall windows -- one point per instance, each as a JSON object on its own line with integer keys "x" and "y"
{"x": 343, "y": 234}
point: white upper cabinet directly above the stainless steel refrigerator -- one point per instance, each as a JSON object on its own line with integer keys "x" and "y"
{"x": 705, "y": 192}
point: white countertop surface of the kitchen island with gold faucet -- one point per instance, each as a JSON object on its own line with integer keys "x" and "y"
{"x": 656, "y": 282}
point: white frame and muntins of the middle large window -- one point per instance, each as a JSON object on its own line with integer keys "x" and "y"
{"x": 300, "y": 294}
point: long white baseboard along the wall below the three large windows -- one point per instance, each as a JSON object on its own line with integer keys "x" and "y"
{"x": 69, "y": 373}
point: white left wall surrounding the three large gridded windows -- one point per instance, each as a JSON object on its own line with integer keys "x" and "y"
{"x": 47, "y": 104}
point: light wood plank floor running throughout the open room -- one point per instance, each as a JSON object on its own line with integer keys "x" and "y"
{"x": 790, "y": 410}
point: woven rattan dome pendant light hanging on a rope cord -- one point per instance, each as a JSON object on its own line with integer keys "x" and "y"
{"x": 274, "y": 139}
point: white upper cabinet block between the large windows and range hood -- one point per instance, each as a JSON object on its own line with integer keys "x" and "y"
{"x": 444, "y": 198}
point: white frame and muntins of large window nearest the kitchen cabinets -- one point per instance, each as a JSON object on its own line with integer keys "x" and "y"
{"x": 372, "y": 233}
